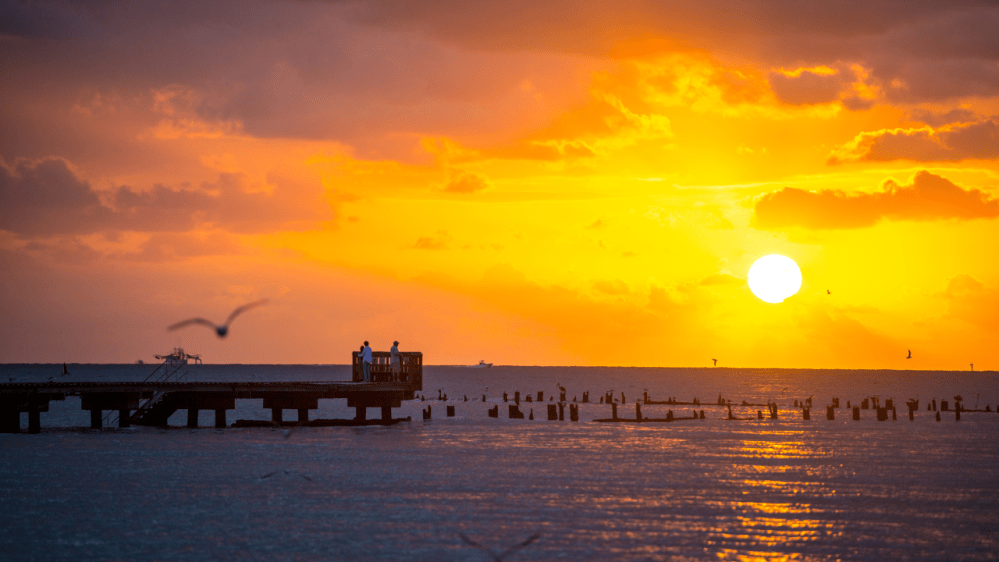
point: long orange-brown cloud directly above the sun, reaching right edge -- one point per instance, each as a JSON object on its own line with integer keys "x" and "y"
{"x": 929, "y": 197}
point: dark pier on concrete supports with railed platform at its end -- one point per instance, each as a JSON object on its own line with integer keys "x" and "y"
{"x": 164, "y": 392}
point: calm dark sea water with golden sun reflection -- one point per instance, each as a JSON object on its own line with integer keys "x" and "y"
{"x": 785, "y": 489}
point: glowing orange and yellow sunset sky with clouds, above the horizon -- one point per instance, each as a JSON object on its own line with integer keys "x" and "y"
{"x": 555, "y": 183}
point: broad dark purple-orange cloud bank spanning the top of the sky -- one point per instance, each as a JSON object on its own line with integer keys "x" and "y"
{"x": 355, "y": 70}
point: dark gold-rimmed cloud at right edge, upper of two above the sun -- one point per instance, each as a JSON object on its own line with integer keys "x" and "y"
{"x": 948, "y": 143}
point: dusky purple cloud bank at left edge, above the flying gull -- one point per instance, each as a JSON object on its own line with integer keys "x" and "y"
{"x": 46, "y": 197}
